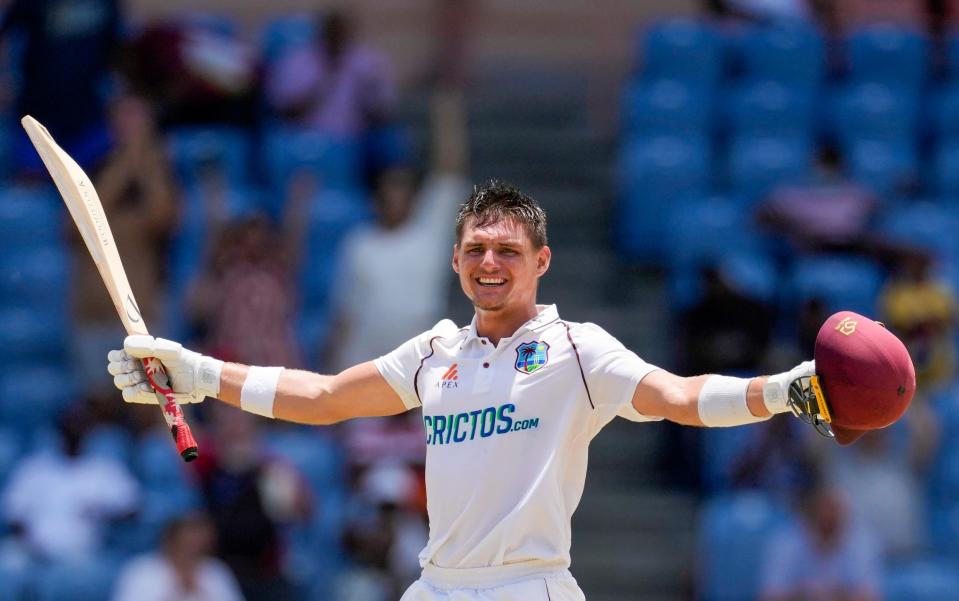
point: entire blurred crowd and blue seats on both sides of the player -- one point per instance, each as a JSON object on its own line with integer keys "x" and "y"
{"x": 778, "y": 161}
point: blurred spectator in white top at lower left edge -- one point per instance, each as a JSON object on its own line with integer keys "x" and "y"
{"x": 58, "y": 502}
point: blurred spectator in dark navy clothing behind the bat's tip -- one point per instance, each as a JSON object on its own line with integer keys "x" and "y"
{"x": 69, "y": 47}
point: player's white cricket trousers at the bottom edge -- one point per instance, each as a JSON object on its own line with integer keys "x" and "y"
{"x": 517, "y": 582}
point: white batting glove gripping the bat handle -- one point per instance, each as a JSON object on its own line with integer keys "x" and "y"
{"x": 193, "y": 376}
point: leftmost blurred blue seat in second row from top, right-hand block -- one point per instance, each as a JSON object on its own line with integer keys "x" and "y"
{"x": 666, "y": 106}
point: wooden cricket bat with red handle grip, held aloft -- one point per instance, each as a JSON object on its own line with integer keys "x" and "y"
{"x": 87, "y": 212}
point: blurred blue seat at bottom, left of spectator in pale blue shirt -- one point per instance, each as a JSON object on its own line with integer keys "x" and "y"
{"x": 733, "y": 530}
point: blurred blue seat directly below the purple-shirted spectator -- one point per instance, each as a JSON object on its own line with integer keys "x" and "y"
{"x": 336, "y": 161}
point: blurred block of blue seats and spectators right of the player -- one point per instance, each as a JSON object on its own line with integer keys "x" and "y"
{"x": 802, "y": 158}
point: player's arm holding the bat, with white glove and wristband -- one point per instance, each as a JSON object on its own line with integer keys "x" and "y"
{"x": 287, "y": 394}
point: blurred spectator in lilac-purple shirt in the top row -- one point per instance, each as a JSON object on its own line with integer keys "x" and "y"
{"x": 337, "y": 85}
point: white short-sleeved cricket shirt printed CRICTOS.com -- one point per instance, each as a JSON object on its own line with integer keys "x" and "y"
{"x": 507, "y": 431}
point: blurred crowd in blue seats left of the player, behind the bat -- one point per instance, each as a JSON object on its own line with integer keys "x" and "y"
{"x": 268, "y": 204}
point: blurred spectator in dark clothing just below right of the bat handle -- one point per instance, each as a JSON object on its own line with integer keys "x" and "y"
{"x": 251, "y": 497}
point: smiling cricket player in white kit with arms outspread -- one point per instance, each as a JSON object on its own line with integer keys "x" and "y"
{"x": 510, "y": 404}
